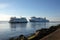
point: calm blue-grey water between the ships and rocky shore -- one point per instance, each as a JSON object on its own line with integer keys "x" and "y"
{"x": 8, "y": 30}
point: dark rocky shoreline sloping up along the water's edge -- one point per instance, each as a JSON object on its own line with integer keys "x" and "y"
{"x": 39, "y": 34}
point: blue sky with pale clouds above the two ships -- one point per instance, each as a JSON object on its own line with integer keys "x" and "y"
{"x": 43, "y": 8}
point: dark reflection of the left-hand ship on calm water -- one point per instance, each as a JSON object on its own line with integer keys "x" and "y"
{"x": 15, "y": 26}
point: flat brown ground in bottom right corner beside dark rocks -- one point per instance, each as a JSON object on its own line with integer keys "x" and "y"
{"x": 53, "y": 36}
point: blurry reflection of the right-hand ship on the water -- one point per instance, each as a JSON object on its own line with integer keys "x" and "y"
{"x": 38, "y": 25}
